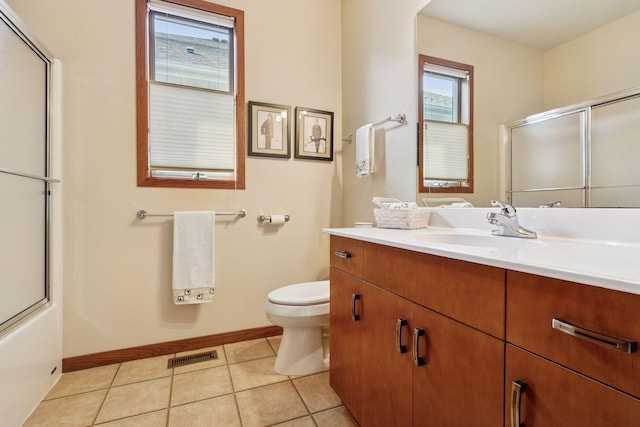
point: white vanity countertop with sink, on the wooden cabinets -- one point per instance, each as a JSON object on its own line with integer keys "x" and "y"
{"x": 608, "y": 264}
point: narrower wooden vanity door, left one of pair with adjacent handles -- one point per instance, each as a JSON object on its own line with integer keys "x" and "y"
{"x": 387, "y": 372}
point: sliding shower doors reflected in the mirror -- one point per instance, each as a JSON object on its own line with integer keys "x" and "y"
{"x": 584, "y": 155}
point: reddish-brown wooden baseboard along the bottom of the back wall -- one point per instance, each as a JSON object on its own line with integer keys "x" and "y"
{"x": 87, "y": 361}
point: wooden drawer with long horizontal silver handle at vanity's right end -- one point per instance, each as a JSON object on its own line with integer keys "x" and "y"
{"x": 532, "y": 304}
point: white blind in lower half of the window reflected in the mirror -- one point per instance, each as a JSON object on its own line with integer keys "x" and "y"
{"x": 445, "y": 151}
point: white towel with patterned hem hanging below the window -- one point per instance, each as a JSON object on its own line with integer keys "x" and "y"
{"x": 193, "y": 257}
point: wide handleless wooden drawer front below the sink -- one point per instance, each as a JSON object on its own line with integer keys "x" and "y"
{"x": 471, "y": 293}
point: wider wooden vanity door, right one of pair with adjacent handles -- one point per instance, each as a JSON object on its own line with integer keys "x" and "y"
{"x": 460, "y": 381}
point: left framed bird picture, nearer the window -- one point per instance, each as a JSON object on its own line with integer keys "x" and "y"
{"x": 269, "y": 130}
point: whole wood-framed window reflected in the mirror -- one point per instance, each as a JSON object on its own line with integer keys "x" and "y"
{"x": 445, "y": 112}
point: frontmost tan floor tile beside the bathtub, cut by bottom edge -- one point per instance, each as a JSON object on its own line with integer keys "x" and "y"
{"x": 74, "y": 411}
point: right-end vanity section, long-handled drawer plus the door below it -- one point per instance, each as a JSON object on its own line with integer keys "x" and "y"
{"x": 570, "y": 381}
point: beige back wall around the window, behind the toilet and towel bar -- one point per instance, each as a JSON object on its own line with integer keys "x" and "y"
{"x": 117, "y": 271}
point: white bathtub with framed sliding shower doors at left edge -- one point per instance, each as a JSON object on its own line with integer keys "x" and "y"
{"x": 30, "y": 313}
